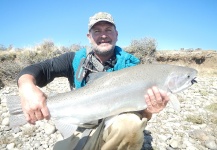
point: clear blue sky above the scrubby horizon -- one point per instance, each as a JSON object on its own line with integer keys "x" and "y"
{"x": 174, "y": 24}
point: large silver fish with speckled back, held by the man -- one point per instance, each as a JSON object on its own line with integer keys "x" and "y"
{"x": 110, "y": 94}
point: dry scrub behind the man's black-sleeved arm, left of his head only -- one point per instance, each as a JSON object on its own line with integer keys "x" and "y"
{"x": 12, "y": 62}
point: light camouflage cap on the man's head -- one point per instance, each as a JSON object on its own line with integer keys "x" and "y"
{"x": 100, "y": 16}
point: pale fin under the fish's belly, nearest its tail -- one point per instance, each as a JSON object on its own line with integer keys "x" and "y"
{"x": 66, "y": 129}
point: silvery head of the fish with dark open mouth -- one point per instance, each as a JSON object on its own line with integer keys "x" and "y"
{"x": 180, "y": 79}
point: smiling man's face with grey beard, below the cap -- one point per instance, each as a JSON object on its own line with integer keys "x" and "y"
{"x": 103, "y": 37}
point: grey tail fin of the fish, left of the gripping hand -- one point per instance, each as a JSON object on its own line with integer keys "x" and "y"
{"x": 17, "y": 117}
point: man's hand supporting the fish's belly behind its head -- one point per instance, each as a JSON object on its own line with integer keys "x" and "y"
{"x": 156, "y": 101}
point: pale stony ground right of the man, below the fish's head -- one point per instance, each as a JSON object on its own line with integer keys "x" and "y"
{"x": 194, "y": 127}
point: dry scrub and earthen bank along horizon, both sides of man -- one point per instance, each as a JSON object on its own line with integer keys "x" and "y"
{"x": 13, "y": 60}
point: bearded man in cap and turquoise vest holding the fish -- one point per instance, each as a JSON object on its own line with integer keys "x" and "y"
{"x": 125, "y": 132}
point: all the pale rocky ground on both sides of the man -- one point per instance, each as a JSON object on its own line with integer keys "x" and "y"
{"x": 194, "y": 127}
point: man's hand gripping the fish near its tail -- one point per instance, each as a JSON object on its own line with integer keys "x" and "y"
{"x": 33, "y": 100}
